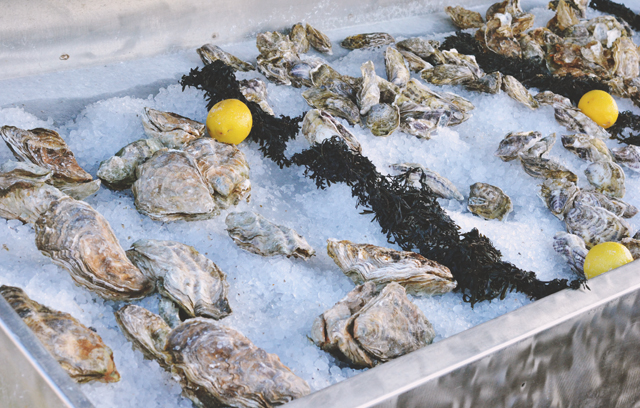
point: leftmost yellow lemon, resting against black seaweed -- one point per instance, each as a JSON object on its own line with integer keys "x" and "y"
{"x": 229, "y": 121}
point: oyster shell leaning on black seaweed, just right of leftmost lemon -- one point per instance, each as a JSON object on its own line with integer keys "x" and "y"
{"x": 318, "y": 126}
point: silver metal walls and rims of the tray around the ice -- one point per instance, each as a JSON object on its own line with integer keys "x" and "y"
{"x": 571, "y": 349}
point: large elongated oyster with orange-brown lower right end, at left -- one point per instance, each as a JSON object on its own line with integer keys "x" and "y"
{"x": 78, "y": 238}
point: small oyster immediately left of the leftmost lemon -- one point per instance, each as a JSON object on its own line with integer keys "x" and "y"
{"x": 171, "y": 129}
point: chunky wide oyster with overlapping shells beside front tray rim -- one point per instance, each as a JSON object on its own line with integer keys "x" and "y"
{"x": 369, "y": 330}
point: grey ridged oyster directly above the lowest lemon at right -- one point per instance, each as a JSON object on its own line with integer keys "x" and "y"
{"x": 595, "y": 224}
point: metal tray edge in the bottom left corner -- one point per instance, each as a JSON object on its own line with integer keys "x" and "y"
{"x": 29, "y": 376}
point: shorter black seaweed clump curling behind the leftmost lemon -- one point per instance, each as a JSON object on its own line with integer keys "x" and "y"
{"x": 218, "y": 81}
